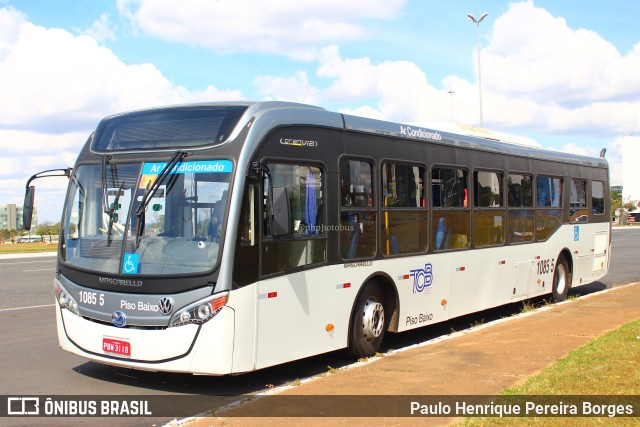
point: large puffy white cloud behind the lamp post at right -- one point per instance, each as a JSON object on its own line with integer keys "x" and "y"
{"x": 574, "y": 79}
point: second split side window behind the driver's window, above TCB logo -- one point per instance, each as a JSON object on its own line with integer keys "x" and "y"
{"x": 404, "y": 214}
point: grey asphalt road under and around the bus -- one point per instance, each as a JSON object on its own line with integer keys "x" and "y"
{"x": 32, "y": 363}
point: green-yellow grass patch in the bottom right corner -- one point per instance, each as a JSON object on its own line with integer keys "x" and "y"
{"x": 606, "y": 366}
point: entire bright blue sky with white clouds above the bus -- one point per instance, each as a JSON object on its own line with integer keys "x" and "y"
{"x": 563, "y": 72}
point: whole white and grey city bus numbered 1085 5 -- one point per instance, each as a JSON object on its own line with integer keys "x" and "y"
{"x": 228, "y": 237}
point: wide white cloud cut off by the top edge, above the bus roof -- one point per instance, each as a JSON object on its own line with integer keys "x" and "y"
{"x": 291, "y": 28}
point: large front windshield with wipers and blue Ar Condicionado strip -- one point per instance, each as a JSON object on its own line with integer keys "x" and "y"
{"x": 177, "y": 231}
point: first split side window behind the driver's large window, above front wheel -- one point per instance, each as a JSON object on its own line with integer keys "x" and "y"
{"x": 357, "y": 220}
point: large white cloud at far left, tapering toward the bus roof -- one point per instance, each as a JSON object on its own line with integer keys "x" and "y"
{"x": 71, "y": 81}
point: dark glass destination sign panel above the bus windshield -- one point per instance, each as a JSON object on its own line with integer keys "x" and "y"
{"x": 167, "y": 128}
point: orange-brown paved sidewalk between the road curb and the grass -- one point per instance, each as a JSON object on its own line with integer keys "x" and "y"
{"x": 481, "y": 361}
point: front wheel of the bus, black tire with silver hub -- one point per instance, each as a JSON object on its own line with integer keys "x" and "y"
{"x": 368, "y": 323}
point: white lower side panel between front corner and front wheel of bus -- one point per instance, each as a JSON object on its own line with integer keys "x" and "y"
{"x": 295, "y": 311}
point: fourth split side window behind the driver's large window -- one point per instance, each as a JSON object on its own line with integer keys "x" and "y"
{"x": 488, "y": 218}
